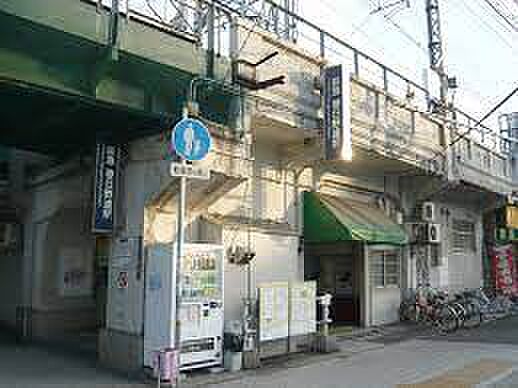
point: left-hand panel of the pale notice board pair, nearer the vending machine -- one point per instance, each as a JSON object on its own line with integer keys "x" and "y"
{"x": 273, "y": 311}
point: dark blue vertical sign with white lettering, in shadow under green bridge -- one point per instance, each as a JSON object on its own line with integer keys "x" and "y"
{"x": 106, "y": 175}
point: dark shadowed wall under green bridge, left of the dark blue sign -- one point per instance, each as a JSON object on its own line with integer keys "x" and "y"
{"x": 61, "y": 241}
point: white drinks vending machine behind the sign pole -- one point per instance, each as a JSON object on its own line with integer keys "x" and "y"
{"x": 201, "y": 311}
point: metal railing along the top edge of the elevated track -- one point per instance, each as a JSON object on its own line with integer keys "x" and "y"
{"x": 208, "y": 22}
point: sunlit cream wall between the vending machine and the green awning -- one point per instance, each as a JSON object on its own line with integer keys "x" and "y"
{"x": 271, "y": 201}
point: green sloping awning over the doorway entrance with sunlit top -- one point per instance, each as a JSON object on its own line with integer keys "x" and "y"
{"x": 330, "y": 219}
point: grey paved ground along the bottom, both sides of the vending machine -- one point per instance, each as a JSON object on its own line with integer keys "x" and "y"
{"x": 403, "y": 355}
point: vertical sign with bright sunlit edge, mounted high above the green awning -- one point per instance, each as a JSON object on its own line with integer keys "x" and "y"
{"x": 337, "y": 114}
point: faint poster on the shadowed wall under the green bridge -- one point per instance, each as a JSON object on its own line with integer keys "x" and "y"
{"x": 75, "y": 273}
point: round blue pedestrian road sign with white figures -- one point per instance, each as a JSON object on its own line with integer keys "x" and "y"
{"x": 191, "y": 139}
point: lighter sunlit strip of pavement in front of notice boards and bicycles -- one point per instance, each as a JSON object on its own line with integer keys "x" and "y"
{"x": 411, "y": 362}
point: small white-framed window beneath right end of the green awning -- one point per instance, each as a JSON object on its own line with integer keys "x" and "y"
{"x": 385, "y": 268}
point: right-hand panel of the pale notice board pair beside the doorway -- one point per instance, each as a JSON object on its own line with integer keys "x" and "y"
{"x": 303, "y": 310}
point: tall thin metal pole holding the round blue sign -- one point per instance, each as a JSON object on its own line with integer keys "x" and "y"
{"x": 180, "y": 238}
